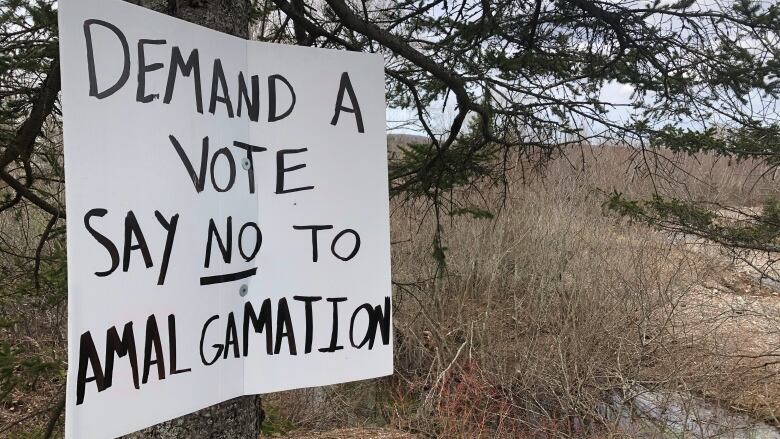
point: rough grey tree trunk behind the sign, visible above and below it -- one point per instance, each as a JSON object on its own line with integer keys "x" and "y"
{"x": 239, "y": 418}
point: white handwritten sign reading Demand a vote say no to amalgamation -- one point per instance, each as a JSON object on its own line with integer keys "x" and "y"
{"x": 227, "y": 206}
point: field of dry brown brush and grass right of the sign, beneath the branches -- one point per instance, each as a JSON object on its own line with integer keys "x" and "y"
{"x": 548, "y": 314}
